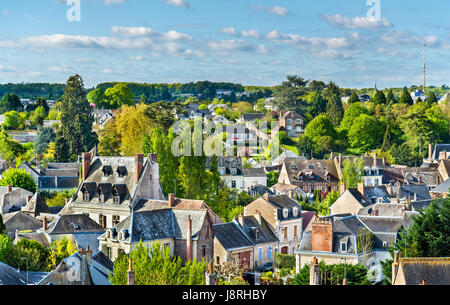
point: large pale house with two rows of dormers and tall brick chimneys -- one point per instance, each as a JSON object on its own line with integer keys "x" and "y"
{"x": 112, "y": 186}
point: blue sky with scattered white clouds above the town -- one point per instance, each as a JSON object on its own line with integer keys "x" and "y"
{"x": 252, "y": 42}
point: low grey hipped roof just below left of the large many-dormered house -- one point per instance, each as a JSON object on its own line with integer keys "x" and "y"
{"x": 73, "y": 224}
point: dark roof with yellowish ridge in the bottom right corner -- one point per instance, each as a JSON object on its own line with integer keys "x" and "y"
{"x": 436, "y": 270}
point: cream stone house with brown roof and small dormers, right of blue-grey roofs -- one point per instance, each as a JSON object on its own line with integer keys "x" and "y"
{"x": 283, "y": 215}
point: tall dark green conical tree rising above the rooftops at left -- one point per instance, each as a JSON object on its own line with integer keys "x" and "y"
{"x": 76, "y": 122}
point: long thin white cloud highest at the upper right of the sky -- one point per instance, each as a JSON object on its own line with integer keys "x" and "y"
{"x": 357, "y": 22}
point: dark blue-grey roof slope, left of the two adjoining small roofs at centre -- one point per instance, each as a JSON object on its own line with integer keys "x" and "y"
{"x": 231, "y": 236}
